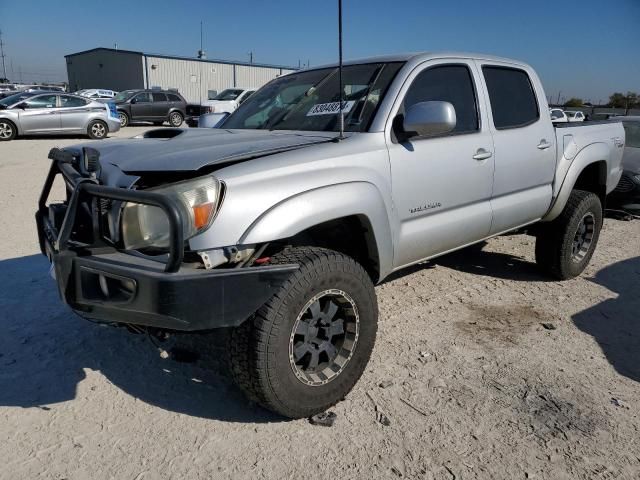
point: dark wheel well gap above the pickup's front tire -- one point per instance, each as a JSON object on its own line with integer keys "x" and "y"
{"x": 350, "y": 235}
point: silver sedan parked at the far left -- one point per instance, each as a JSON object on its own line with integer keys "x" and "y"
{"x": 38, "y": 113}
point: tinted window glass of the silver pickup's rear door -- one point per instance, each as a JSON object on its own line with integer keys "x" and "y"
{"x": 513, "y": 101}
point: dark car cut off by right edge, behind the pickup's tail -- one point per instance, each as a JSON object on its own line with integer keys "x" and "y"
{"x": 627, "y": 192}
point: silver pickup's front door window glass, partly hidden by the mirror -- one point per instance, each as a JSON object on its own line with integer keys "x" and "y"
{"x": 447, "y": 83}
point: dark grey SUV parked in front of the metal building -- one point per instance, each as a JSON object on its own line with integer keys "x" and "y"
{"x": 157, "y": 106}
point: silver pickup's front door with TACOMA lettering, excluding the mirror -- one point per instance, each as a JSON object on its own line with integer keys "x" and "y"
{"x": 441, "y": 185}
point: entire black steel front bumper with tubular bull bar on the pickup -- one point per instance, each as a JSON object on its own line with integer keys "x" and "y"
{"x": 105, "y": 284}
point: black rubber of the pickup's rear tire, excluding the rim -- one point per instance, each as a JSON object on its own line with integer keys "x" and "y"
{"x": 555, "y": 240}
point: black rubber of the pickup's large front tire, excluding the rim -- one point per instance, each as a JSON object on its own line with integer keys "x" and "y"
{"x": 258, "y": 350}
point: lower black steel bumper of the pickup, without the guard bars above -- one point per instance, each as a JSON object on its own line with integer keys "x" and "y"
{"x": 116, "y": 287}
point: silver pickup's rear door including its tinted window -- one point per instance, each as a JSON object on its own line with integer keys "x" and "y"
{"x": 524, "y": 143}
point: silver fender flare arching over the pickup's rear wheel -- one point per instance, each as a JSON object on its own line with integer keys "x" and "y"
{"x": 589, "y": 155}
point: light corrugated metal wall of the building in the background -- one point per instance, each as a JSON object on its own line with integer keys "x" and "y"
{"x": 194, "y": 79}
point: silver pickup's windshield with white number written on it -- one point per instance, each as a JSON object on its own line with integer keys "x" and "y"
{"x": 310, "y": 100}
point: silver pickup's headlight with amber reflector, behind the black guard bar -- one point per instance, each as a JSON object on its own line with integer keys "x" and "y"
{"x": 148, "y": 226}
